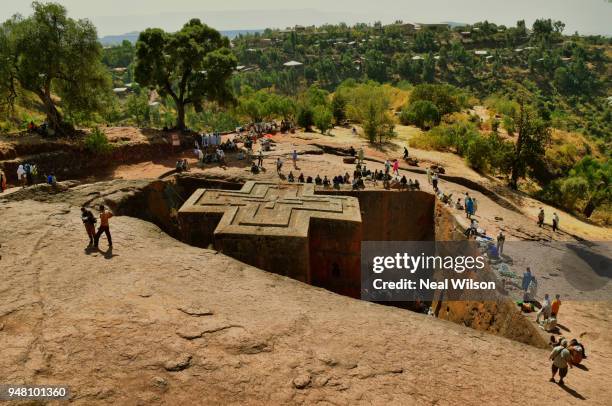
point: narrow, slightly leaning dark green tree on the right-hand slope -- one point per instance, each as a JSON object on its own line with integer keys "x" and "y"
{"x": 533, "y": 135}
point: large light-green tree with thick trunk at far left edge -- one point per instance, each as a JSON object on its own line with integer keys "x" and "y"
{"x": 52, "y": 55}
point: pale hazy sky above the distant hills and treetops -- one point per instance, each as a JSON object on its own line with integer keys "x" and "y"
{"x": 121, "y": 16}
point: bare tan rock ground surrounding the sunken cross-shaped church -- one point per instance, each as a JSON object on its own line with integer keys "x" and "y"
{"x": 155, "y": 321}
